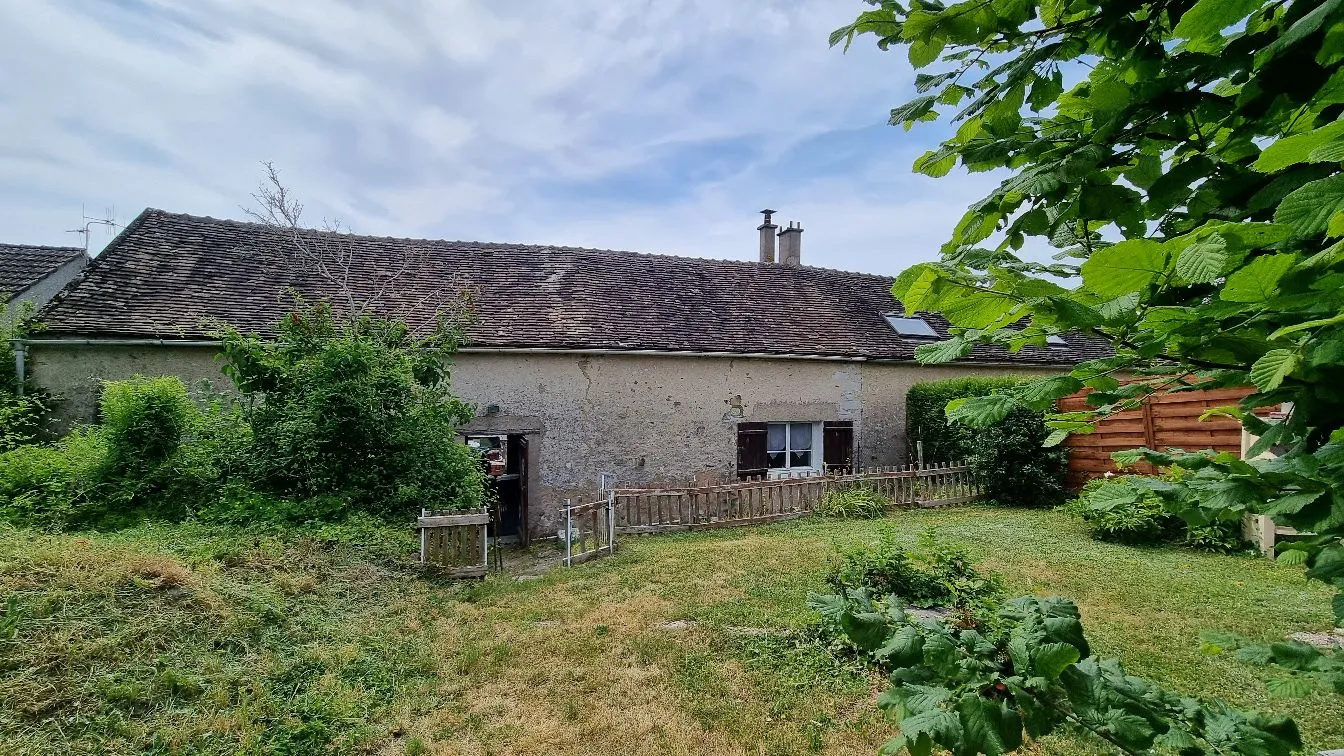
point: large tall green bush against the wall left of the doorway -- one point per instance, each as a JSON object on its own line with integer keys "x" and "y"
{"x": 355, "y": 416}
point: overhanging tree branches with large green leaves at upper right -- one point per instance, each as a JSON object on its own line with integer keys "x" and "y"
{"x": 1185, "y": 158}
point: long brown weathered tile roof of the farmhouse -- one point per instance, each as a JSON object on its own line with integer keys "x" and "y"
{"x": 170, "y": 275}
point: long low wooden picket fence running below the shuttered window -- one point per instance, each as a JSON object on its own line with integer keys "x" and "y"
{"x": 759, "y": 501}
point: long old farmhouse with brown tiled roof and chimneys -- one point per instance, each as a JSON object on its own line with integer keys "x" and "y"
{"x": 650, "y": 369}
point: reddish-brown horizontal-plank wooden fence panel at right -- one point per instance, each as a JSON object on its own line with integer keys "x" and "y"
{"x": 1166, "y": 422}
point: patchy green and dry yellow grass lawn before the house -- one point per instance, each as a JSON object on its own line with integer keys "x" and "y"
{"x": 185, "y": 640}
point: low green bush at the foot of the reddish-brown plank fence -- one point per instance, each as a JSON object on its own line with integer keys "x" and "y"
{"x": 1120, "y": 513}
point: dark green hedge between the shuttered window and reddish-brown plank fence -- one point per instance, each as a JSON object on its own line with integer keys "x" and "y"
{"x": 1009, "y": 458}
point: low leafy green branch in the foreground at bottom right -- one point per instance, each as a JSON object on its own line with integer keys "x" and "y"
{"x": 976, "y": 691}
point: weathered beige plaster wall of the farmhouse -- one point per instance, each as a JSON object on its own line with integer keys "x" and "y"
{"x": 644, "y": 419}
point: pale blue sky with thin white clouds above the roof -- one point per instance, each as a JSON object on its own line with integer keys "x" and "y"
{"x": 655, "y": 127}
